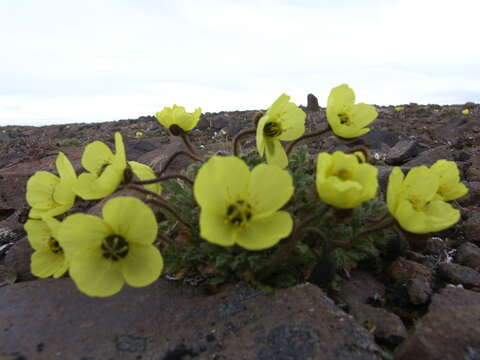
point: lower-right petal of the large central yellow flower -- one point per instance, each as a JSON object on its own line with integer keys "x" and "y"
{"x": 266, "y": 232}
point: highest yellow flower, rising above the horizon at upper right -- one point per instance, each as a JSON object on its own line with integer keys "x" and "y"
{"x": 347, "y": 119}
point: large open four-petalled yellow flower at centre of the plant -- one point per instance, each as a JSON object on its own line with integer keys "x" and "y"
{"x": 241, "y": 207}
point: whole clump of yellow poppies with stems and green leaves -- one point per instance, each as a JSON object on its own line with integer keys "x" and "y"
{"x": 233, "y": 216}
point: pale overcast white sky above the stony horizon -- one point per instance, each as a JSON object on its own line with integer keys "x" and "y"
{"x": 65, "y": 61}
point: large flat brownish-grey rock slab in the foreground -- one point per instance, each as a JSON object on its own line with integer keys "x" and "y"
{"x": 168, "y": 321}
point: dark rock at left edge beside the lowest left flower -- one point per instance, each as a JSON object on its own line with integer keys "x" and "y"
{"x": 17, "y": 259}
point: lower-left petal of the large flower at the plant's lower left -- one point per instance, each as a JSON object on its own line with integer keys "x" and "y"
{"x": 94, "y": 275}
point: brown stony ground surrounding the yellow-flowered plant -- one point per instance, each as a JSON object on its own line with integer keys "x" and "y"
{"x": 424, "y": 304}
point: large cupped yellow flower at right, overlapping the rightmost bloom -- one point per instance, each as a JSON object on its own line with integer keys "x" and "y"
{"x": 413, "y": 201}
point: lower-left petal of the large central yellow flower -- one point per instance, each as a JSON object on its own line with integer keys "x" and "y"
{"x": 213, "y": 228}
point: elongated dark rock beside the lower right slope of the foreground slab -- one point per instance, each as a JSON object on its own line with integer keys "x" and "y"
{"x": 388, "y": 327}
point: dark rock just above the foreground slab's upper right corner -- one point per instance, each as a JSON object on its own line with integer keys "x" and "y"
{"x": 360, "y": 288}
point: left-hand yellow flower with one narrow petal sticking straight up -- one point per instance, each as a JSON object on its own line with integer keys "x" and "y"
{"x": 105, "y": 169}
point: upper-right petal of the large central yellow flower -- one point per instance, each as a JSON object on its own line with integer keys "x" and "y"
{"x": 270, "y": 188}
